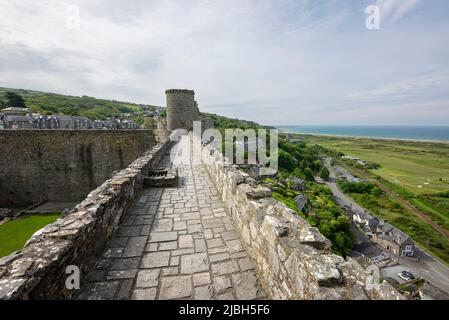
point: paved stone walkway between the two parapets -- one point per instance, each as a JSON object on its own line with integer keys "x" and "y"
{"x": 177, "y": 243}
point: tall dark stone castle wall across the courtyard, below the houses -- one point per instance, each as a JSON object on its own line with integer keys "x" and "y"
{"x": 63, "y": 165}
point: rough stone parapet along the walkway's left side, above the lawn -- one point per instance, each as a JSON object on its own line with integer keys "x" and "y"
{"x": 39, "y": 270}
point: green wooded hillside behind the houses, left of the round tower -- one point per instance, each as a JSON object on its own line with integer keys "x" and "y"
{"x": 51, "y": 103}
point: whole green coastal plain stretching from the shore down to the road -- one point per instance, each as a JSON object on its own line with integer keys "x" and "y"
{"x": 412, "y": 171}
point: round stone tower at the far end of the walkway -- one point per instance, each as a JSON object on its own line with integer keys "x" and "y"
{"x": 182, "y": 109}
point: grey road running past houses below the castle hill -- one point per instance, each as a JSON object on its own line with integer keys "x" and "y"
{"x": 423, "y": 264}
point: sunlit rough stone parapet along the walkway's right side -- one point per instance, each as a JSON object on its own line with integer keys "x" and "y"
{"x": 292, "y": 258}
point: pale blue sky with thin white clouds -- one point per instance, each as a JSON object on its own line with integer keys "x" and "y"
{"x": 292, "y": 62}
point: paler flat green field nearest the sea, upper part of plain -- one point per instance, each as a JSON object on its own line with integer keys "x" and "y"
{"x": 416, "y": 166}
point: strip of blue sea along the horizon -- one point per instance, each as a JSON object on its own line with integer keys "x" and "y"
{"x": 429, "y": 133}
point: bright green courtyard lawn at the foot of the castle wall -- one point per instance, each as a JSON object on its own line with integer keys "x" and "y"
{"x": 14, "y": 234}
